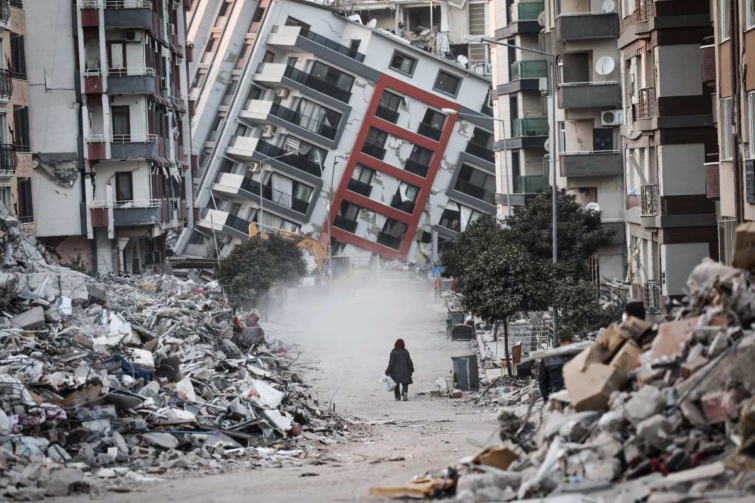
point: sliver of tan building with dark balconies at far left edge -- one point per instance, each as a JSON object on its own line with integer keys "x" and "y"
{"x": 15, "y": 158}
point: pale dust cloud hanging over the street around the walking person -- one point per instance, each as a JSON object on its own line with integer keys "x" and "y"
{"x": 348, "y": 330}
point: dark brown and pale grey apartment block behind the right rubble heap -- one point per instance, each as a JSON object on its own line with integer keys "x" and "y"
{"x": 668, "y": 136}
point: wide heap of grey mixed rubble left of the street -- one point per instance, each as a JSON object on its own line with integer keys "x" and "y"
{"x": 127, "y": 380}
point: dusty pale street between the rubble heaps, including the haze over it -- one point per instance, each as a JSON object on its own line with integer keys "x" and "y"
{"x": 345, "y": 339}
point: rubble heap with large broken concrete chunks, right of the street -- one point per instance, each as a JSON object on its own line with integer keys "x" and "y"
{"x": 650, "y": 412}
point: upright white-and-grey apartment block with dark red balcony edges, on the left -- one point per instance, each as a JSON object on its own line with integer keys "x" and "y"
{"x": 110, "y": 133}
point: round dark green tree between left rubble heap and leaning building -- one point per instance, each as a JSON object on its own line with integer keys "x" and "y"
{"x": 251, "y": 269}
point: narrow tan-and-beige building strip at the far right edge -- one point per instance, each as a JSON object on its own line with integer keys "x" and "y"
{"x": 731, "y": 174}
